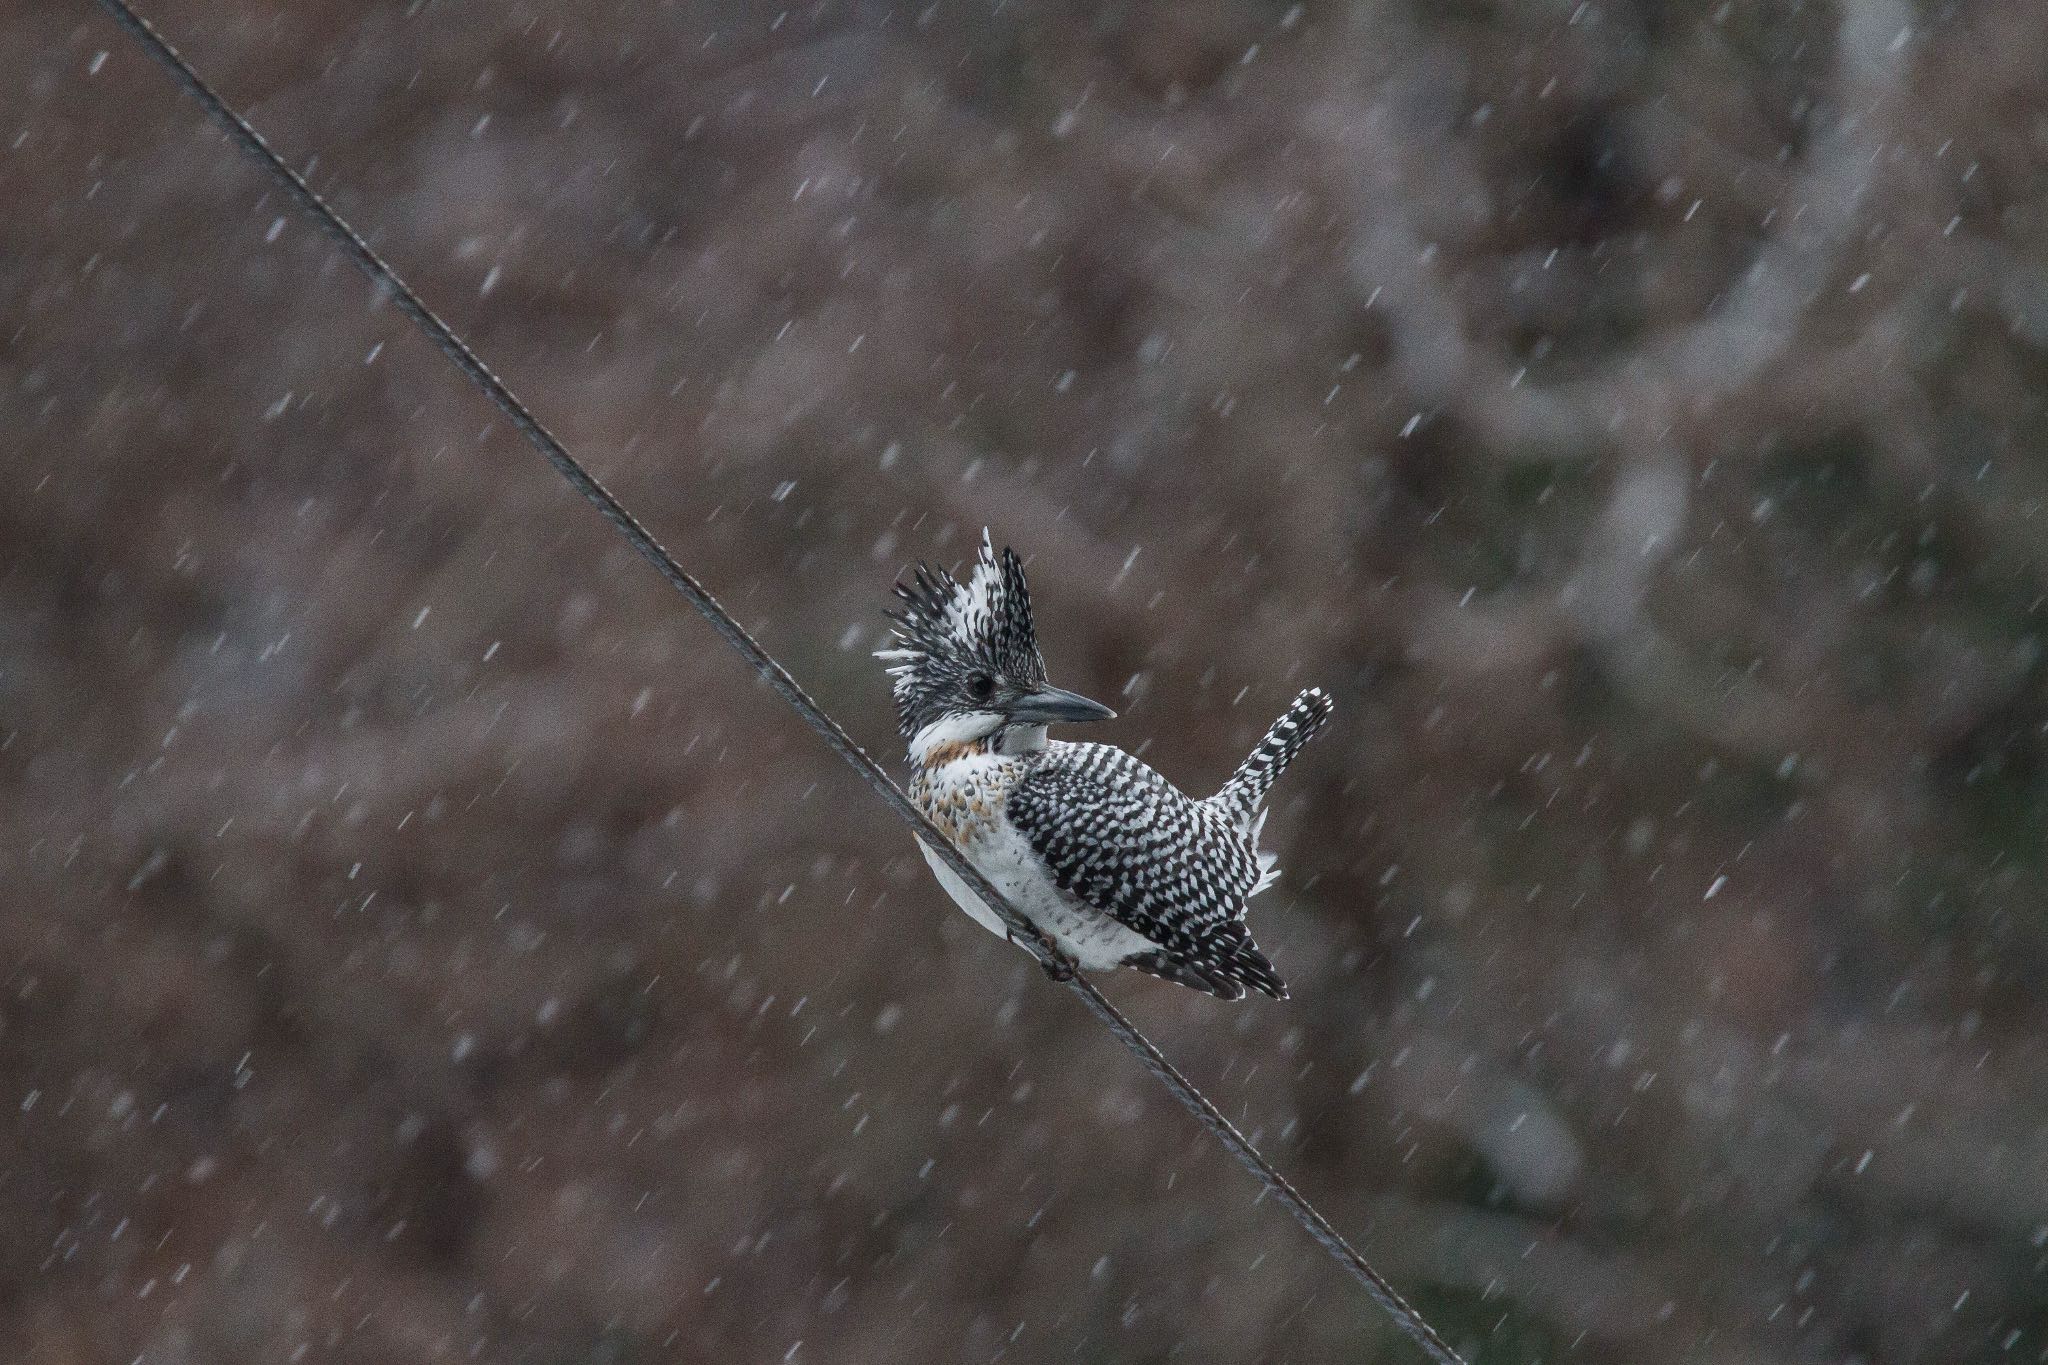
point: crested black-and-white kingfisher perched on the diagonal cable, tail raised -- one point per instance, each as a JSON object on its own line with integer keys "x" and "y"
{"x": 1101, "y": 852}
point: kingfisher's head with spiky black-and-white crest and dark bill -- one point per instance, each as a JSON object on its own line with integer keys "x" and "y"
{"x": 966, "y": 660}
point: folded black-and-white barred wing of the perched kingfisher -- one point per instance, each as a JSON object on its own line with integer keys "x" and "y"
{"x": 1132, "y": 846}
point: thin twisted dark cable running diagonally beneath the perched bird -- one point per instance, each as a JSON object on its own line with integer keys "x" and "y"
{"x": 779, "y": 678}
